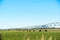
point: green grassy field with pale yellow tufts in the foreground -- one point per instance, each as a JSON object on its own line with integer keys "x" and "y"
{"x": 24, "y": 35}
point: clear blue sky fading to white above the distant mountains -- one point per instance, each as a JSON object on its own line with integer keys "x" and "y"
{"x": 22, "y": 13}
